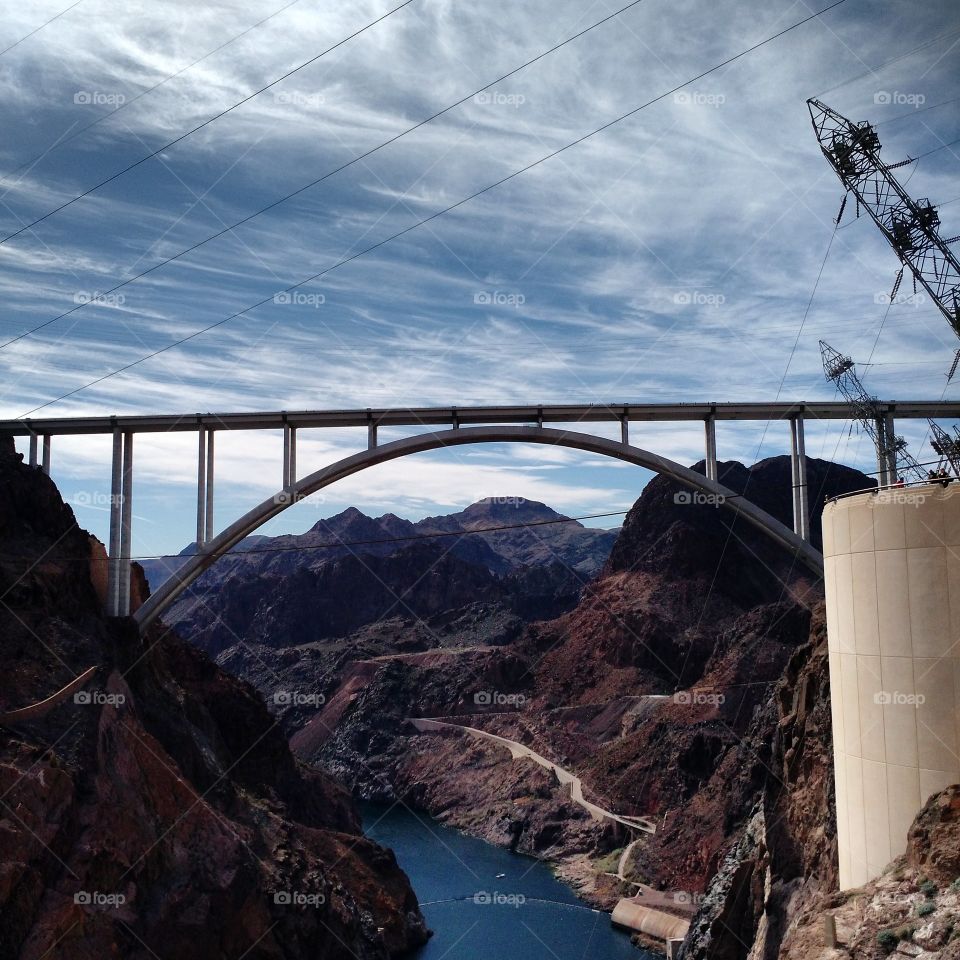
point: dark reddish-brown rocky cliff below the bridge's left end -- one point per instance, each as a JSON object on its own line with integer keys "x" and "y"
{"x": 159, "y": 812}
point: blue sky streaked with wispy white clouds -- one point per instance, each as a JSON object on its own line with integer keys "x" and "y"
{"x": 671, "y": 257}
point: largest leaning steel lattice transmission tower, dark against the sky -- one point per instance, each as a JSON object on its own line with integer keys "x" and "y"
{"x": 910, "y": 226}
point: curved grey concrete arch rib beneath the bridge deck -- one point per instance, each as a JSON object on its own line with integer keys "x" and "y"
{"x": 249, "y": 522}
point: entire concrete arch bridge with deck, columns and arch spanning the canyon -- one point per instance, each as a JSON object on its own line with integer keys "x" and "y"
{"x": 458, "y": 426}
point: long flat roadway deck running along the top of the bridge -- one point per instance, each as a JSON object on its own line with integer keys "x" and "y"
{"x": 427, "y": 416}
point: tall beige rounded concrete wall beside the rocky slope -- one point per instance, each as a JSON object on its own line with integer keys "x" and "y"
{"x": 892, "y": 573}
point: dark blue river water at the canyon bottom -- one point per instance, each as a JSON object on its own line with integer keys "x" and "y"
{"x": 527, "y": 914}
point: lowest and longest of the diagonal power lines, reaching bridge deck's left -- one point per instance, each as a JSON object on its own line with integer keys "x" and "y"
{"x": 445, "y": 210}
